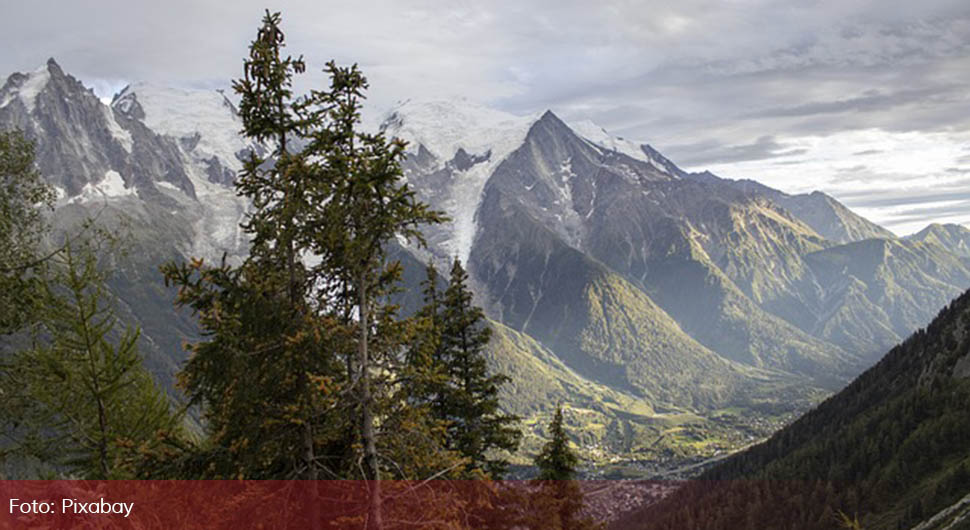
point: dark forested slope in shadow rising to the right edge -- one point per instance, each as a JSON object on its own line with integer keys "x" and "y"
{"x": 889, "y": 449}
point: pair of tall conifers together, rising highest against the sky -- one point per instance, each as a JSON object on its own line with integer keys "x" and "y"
{"x": 302, "y": 373}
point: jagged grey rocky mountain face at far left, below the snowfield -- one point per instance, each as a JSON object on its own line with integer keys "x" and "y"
{"x": 107, "y": 163}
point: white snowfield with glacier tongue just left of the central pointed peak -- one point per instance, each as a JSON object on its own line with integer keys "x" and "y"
{"x": 443, "y": 127}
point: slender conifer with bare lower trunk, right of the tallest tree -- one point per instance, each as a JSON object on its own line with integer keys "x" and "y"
{"x": 365, "y": 206}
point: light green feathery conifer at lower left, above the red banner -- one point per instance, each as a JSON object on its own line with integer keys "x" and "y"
{"x": 79, "y": 401}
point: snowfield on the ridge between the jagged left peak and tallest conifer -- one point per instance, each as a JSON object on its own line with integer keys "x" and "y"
{"x": 183, "y": 113}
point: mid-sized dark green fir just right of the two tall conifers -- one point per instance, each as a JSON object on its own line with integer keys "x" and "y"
{"x": 469, "y": 402}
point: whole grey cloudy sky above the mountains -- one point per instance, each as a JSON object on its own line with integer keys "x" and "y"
{"x": 866, "y": 100}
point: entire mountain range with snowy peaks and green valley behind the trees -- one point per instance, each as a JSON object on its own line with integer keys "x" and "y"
{"x": 678, "y": 316}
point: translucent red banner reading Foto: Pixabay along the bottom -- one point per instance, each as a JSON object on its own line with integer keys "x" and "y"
{"x": 320, "y": 504}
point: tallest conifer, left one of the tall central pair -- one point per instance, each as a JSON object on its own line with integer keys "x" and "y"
{"x": 268, "y": 373}
